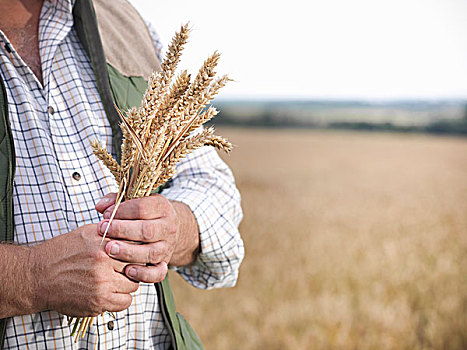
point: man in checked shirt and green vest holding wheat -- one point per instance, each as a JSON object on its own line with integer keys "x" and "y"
{"x": 61, "y": 70}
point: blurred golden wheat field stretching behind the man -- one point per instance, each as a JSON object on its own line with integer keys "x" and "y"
{"x": 353, "y": 241}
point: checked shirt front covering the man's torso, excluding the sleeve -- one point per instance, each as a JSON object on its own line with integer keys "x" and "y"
{"x": 58, "y": 179}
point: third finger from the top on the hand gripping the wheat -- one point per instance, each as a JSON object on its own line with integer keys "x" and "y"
{"x": 152, "y": 253}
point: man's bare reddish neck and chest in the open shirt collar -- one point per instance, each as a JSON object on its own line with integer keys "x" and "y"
{"x": 19, "y": 20}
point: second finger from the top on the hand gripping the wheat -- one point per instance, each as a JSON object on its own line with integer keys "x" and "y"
{"x": 148, "y": 231}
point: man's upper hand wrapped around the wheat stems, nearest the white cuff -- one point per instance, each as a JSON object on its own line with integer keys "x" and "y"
{"x": 149, "y": 233}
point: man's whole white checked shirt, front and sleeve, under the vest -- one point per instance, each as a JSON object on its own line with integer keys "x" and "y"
{"x": 58, "y": 180}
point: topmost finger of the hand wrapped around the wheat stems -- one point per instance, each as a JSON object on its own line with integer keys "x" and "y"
{"x": 152, "y": 207}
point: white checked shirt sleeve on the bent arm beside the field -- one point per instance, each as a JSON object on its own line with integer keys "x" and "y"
{"x": 206, "y": 184}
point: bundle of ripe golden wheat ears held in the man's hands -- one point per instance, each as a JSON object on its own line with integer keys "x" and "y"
{"x": 159, "y": 133}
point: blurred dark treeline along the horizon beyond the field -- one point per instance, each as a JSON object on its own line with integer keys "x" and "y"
{"x": 232, "y": 115}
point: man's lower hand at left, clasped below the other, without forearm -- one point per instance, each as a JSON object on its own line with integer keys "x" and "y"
{"x": 73, "y": 275}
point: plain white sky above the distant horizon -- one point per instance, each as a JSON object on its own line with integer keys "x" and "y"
{"x": 325, "y": 48}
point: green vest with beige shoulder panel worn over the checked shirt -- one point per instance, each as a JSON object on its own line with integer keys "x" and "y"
{"x": 114, "y": 86}
